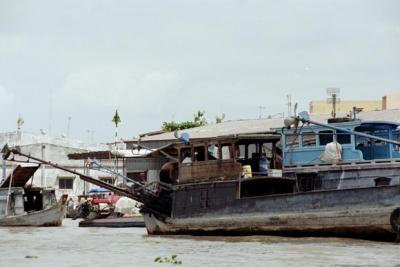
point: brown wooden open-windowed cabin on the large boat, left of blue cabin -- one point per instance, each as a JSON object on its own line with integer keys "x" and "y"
{"x": 224, "y": 158}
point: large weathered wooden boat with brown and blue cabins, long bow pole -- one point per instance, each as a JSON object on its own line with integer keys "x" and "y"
{"x": 211, "y": 191}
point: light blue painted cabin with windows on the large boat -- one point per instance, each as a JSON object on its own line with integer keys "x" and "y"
{"x": 306, "y": 144}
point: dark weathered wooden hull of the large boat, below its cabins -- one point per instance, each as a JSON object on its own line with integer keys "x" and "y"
{"x": 215, "y": 208}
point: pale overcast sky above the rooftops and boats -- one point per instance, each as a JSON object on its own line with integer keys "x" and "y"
{"x": 163, "y": 60}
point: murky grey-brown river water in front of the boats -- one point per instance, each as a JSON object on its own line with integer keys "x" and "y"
{"x": 71, "y": 246}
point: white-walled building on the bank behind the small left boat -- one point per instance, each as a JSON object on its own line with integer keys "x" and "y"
{"x": 55, "y": 150}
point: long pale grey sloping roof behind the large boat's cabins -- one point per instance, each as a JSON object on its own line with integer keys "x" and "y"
{"x": 263, "y": 125}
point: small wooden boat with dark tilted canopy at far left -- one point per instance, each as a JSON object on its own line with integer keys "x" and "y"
{"x": 23, "y": 205}
